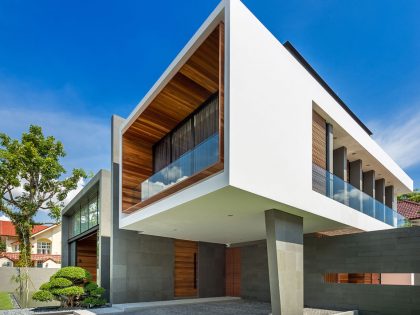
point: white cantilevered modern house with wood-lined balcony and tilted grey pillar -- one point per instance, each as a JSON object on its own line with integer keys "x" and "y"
{"x": 235, "y": 153}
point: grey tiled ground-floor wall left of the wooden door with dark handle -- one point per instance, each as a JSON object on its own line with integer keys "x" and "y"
{"x": 142, "y": 267}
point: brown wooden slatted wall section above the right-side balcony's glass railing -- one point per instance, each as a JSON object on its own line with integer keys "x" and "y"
{"x": 319, "y": 140}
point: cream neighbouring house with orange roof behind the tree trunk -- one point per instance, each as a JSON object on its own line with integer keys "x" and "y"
{"x": 45, "y": 242}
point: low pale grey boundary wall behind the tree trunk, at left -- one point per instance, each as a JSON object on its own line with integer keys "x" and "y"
{"x": 38, "y": 276}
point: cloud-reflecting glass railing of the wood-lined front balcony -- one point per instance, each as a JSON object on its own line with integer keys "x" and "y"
{"x": 199, "y": 158}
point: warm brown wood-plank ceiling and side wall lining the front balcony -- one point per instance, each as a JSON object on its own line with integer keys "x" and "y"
{"x": 194, "y": 83}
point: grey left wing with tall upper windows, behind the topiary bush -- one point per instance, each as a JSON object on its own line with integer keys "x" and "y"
{"x": 86, "y": 229}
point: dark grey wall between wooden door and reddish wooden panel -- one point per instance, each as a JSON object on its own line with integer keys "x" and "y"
{"x": 211, "y": 269}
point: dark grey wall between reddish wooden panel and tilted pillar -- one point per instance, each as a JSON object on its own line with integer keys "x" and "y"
{"x": 255, "y": 283}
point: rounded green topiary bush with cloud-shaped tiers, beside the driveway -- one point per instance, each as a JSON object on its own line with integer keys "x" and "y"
{"x": 72, "y": 286}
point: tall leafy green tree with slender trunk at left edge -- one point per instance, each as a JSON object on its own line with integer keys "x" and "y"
{"x": 31, "y": 179}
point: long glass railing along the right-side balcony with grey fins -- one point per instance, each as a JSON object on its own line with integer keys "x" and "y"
{"x": 335, "y": 188}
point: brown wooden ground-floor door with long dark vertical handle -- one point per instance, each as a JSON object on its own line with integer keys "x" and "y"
{"x": 186, "y": 260}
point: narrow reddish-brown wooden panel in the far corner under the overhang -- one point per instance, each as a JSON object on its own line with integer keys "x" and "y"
{"x": 233, "y": 271}
